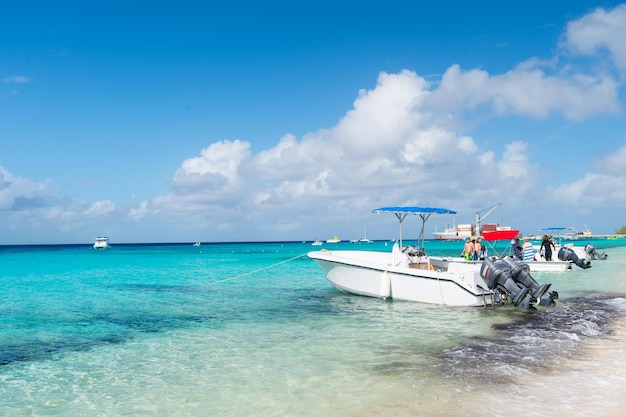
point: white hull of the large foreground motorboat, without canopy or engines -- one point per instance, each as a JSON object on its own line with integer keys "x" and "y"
{"x": 377, "y": 274}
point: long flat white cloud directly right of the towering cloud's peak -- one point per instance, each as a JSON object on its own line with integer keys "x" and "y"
{"x": 526, "y": 90}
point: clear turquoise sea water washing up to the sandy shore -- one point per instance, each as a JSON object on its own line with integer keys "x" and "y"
{"x": 255, "y": 329}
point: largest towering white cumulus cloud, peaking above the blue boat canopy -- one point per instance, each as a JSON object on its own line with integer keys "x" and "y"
{"x": 391, "y": 144}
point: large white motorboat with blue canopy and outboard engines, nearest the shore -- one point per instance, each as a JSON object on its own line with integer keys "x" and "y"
{"x": 407, "y": 273}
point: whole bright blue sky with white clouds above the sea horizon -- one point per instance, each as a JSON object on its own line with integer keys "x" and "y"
{"x": 275, "y": 121}
